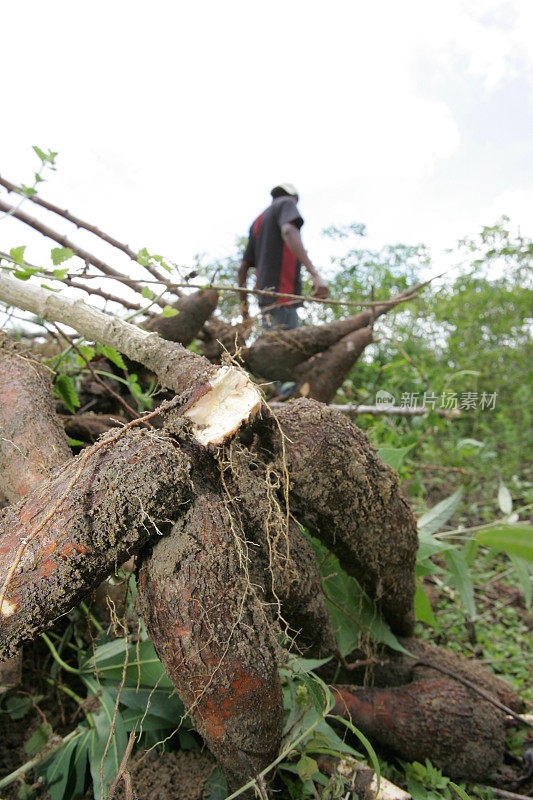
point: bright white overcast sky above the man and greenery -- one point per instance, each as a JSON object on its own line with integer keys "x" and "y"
{"x": 173, "y": 120}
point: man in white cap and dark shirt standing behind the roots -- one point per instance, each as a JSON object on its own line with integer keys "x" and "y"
{"x": 276, "y": 252}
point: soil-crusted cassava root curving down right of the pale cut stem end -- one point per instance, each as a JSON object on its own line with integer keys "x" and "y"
{"x": 343, "y": 493}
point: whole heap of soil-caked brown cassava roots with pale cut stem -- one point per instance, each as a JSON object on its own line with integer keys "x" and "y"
{"x": 210, "y": 500}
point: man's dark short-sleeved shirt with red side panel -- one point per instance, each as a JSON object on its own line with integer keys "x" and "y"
{"x": 277, "y": 268}
